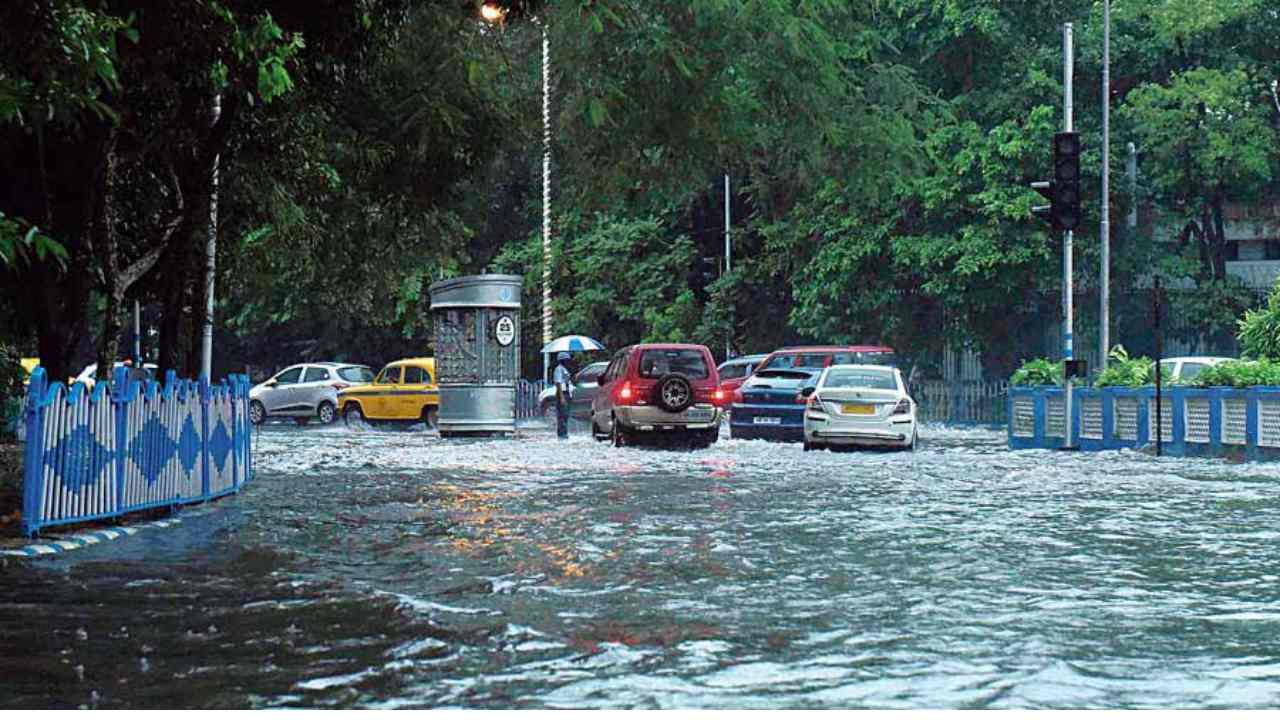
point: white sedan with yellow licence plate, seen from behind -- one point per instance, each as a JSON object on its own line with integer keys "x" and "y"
{"x": 860, "y": 405}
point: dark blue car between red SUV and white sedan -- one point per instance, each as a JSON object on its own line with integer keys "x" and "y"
{"x": 770, "y": 405}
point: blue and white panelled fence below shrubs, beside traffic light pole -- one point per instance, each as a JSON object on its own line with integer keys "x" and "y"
{"x": 1209, "y": 422}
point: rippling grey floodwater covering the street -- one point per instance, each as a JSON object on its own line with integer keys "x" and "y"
{"x": 394, "y": 569}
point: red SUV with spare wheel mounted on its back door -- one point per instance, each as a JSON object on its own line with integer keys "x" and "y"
{"x": 660, "y": 390}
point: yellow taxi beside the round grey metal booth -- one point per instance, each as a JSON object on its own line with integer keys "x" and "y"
{"x": 404, "y": 390}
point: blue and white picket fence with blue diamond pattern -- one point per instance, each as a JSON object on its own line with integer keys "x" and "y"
{"x": 134, "y": 446}
